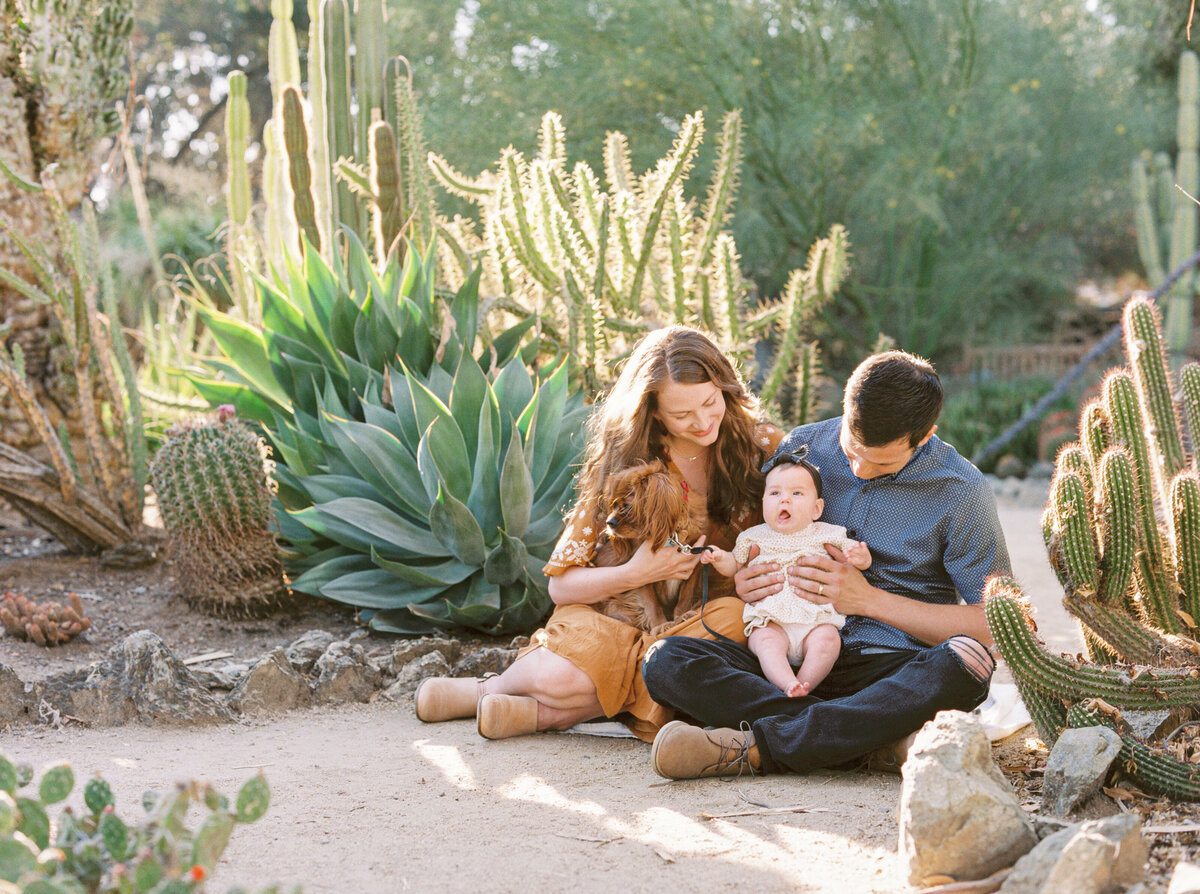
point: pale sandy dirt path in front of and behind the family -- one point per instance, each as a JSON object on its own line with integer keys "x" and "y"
{"x": 367, "y": 799}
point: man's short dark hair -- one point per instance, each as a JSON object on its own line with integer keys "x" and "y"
{"x": 891, "y": 397}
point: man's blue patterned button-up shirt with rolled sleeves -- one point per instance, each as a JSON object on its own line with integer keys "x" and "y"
{"x": 932, "y": 527}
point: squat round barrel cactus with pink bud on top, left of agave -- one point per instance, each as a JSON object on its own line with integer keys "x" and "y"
{"x": 215, "y": 493}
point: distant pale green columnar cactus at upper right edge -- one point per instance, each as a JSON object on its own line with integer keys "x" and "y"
{"x": 1167, "y": 217}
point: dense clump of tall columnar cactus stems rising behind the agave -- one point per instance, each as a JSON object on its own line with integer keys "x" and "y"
{"x": 350, "y": 153}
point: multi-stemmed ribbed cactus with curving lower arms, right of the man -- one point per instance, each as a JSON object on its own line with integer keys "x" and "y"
{"x": 1123, "y": 529}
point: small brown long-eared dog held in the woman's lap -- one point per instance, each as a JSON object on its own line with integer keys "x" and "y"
{"x": 645, "y": 503}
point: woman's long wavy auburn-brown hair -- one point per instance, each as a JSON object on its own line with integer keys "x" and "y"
{"x": 625, "y": 431}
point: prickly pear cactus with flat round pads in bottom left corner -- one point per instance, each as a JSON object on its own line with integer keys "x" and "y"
{"x": 99, "y": 851}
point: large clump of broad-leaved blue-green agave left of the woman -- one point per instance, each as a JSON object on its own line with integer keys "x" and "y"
{"x": 418, "y": 483}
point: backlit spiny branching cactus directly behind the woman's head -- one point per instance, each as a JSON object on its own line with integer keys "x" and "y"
{"x": 599, "y": 267}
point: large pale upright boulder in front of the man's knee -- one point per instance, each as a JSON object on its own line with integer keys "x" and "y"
{"x": 959, "y": 817}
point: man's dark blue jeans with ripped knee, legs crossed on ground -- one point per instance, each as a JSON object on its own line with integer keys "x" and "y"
{"x": 867, "y": 701}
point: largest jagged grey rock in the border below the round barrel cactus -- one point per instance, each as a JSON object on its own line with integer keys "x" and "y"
{"x": 140, "y": 681}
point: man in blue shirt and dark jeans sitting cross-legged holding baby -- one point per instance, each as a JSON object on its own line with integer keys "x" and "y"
{"x": 916, "y": 641}
